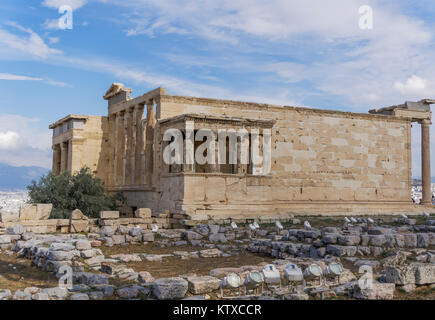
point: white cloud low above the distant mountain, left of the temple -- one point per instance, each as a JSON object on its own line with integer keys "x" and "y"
{"x": 24, "y": 142}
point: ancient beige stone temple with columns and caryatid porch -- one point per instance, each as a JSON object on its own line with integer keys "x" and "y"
{"x": 320, "y": 161}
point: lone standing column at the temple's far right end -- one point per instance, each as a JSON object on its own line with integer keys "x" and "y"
{"x": 425, "y": 162}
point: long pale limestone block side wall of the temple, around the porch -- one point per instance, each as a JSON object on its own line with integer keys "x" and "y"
{"x": 318, "y": 156}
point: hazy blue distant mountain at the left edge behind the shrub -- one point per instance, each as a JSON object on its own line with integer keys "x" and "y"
{"x": 18, "y": 178}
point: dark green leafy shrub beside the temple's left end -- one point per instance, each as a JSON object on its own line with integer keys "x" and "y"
{"x": 67, "y": 192}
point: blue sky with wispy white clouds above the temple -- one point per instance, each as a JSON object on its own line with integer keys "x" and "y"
{"x": 302, "y": 53}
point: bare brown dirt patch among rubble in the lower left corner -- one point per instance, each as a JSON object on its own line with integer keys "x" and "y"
{"x": 17, "y": 274}
